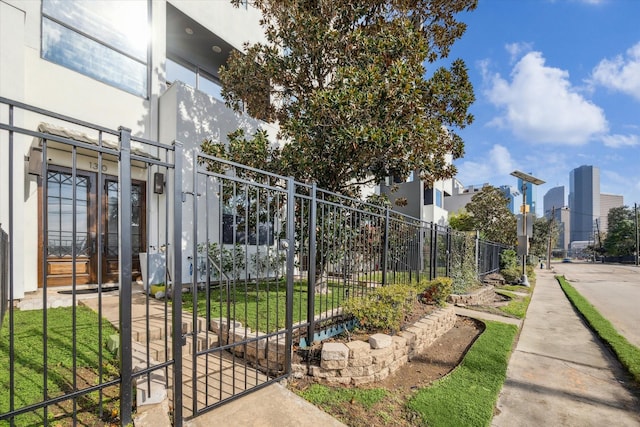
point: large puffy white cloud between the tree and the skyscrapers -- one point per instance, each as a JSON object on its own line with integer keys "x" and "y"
{"x": 540, "y": 105}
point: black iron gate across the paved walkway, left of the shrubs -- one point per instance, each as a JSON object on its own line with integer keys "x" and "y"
{"x": 243, "y": 270}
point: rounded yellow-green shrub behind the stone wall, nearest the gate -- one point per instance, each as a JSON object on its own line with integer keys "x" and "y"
{"x": 383, "y": 309}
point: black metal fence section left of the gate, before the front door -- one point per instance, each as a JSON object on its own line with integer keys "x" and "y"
{"x": 77, "y": 337}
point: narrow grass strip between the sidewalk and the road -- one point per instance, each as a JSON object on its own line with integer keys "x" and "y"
{"x": 627, "y": 353}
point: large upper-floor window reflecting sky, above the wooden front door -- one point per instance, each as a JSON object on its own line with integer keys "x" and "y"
{"x": 107, "y": 41}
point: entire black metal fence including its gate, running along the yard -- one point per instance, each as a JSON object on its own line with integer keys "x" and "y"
{"x": 269, "y": 262}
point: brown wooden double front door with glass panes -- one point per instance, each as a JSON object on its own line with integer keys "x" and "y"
{"x": 74, "y": 222}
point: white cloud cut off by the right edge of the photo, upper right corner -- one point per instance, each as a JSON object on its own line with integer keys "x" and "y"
{"x": 620, "y": 73}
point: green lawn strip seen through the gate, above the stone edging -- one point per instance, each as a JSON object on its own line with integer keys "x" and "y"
{"x": 262, "y": 306}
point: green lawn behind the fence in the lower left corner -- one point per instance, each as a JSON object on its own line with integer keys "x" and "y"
{"x": 29, "y": 363}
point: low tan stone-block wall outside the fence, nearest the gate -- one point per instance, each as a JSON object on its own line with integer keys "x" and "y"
{"x": 359, "y": 362}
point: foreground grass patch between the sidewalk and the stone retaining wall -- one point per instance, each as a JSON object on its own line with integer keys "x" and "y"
{"x": 468, "y": 395}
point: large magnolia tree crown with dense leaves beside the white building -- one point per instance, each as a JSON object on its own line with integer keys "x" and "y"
{"x": 345, "y": 81}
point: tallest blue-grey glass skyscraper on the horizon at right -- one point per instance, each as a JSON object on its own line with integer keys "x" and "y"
{"x": 584, "y": 202}
